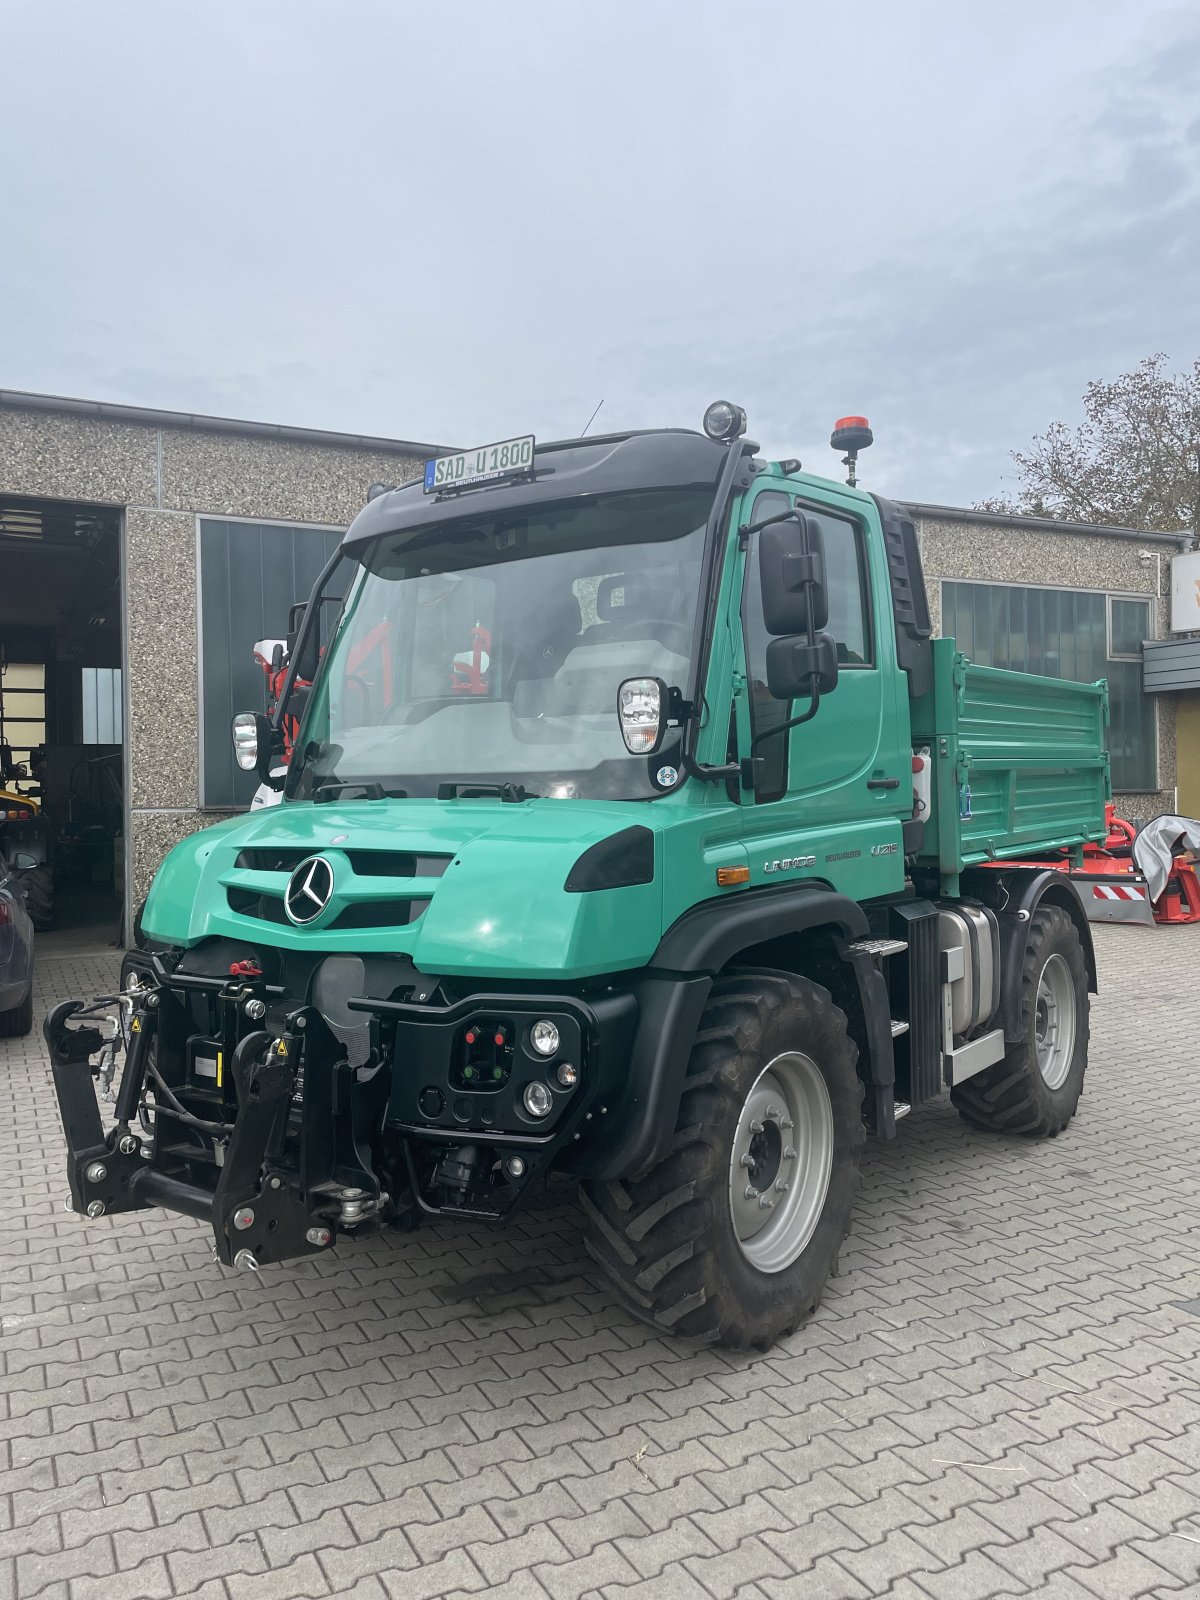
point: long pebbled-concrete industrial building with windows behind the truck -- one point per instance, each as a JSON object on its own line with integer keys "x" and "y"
{"x": 143, "y": 553}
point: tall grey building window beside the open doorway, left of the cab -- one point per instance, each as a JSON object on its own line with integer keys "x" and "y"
{"x": 252, "y": 574}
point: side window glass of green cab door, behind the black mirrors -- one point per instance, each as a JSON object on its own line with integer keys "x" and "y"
{"x": 849, "y": 626}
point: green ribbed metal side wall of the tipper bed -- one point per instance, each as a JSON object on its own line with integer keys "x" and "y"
{"x": 1018, "y": 764}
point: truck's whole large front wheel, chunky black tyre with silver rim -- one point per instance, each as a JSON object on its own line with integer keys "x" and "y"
{"x": 772, "y": 1103}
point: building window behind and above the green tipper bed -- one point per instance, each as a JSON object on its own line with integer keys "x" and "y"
{"x": 1068, "y": 634}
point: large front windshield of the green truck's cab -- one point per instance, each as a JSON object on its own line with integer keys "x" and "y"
{"x": 492, "y": 650}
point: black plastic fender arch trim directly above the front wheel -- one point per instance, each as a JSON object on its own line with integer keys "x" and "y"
{"x": 706, "y": 938}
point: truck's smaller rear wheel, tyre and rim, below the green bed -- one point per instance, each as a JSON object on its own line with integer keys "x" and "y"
{"x": 1038, "y": 1087}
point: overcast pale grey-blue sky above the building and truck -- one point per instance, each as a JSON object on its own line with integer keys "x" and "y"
{"x": 465, "y": 222}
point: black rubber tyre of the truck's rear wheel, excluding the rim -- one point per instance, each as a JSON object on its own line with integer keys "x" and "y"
{"x": 1012, "y": 1097}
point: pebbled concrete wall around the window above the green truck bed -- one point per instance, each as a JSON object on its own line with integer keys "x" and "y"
{"x": 998, "y": 554}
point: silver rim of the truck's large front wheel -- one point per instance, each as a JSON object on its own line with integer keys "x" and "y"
{"x": 783, "y": 1156}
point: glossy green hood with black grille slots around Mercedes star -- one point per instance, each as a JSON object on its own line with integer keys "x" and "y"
{"x": 463, "y": 887}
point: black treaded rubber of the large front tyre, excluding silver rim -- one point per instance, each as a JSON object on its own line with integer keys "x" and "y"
{"x": 654, "y": 1236}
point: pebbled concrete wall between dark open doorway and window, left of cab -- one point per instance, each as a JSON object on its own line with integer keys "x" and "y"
{"x": 164, "y": 479}
